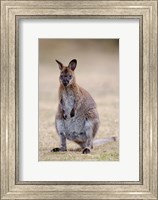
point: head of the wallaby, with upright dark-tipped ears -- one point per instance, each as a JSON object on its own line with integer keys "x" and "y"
{"x": 67, "y": 76}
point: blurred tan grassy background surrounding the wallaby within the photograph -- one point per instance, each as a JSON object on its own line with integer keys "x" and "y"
{"x": 98, "y": 72}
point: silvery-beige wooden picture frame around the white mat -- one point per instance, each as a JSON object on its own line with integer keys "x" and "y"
{"x": 11, "y": 187}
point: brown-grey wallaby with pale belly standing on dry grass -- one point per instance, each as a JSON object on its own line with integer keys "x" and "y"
{"x": 77, "y": 118}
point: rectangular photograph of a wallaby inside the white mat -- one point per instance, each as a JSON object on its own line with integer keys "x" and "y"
{"x": 107, "y": 122}
